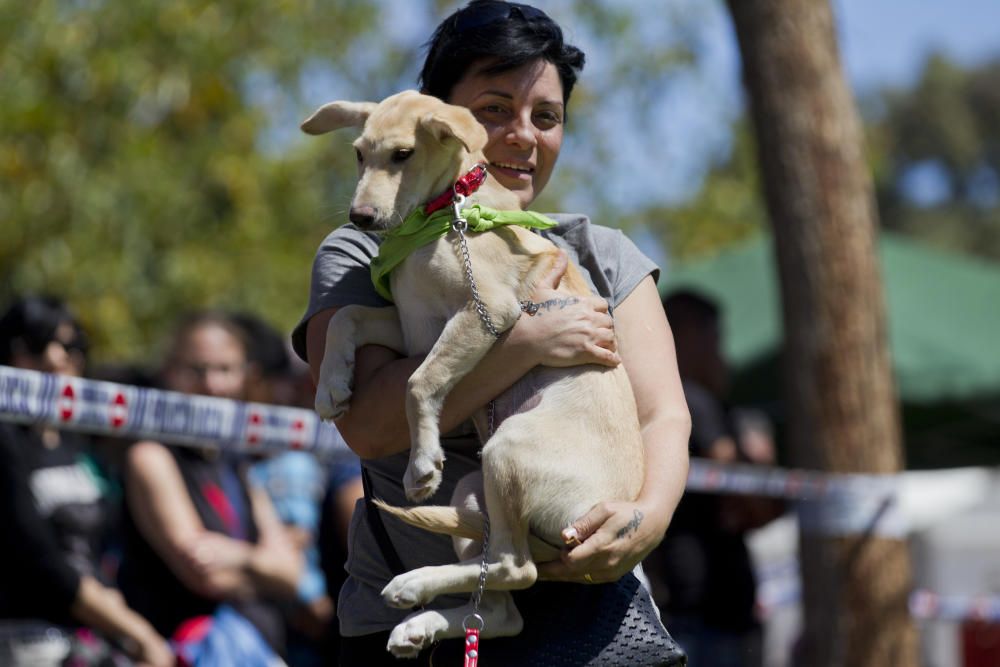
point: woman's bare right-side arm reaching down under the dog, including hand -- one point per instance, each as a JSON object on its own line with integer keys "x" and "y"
{"x": 618, "y": 535}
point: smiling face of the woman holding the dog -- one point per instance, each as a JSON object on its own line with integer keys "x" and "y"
{"x": 522, "y": 111}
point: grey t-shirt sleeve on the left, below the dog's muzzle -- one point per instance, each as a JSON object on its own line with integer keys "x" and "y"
{"x": 340, "y": 276}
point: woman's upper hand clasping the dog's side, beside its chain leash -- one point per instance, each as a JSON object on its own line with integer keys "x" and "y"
{"x": 566, "y": 330}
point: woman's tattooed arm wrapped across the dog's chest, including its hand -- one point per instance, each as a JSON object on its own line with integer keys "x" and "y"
{"x": 375, "y": 425}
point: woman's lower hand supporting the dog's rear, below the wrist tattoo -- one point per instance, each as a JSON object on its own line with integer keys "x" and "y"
{"x": 610, "y": 540}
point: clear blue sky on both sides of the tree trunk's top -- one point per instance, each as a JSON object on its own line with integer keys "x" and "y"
{"x": 883, "y": 43}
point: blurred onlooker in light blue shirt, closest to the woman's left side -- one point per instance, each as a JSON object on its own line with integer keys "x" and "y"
{"x": 305, "y": 492}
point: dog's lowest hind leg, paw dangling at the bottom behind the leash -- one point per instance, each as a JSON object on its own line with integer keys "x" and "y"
{"x": 421, "y": 629}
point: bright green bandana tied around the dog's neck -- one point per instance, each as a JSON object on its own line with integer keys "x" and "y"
{"x": 420, "y": 229}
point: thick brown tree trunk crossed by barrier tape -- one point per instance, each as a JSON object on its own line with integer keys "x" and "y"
{"x": 843, "y": 414}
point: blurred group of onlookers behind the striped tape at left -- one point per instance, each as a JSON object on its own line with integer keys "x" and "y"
{"x": 120, "y": 553}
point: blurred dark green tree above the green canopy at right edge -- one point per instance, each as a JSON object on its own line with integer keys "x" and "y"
{"x": 938, "y": 156}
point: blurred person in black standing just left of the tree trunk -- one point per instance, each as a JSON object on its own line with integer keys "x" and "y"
{"x": 701, "y": 575}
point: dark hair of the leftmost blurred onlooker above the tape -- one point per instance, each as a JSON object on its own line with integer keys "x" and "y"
{"x": 30, "y": 324}
